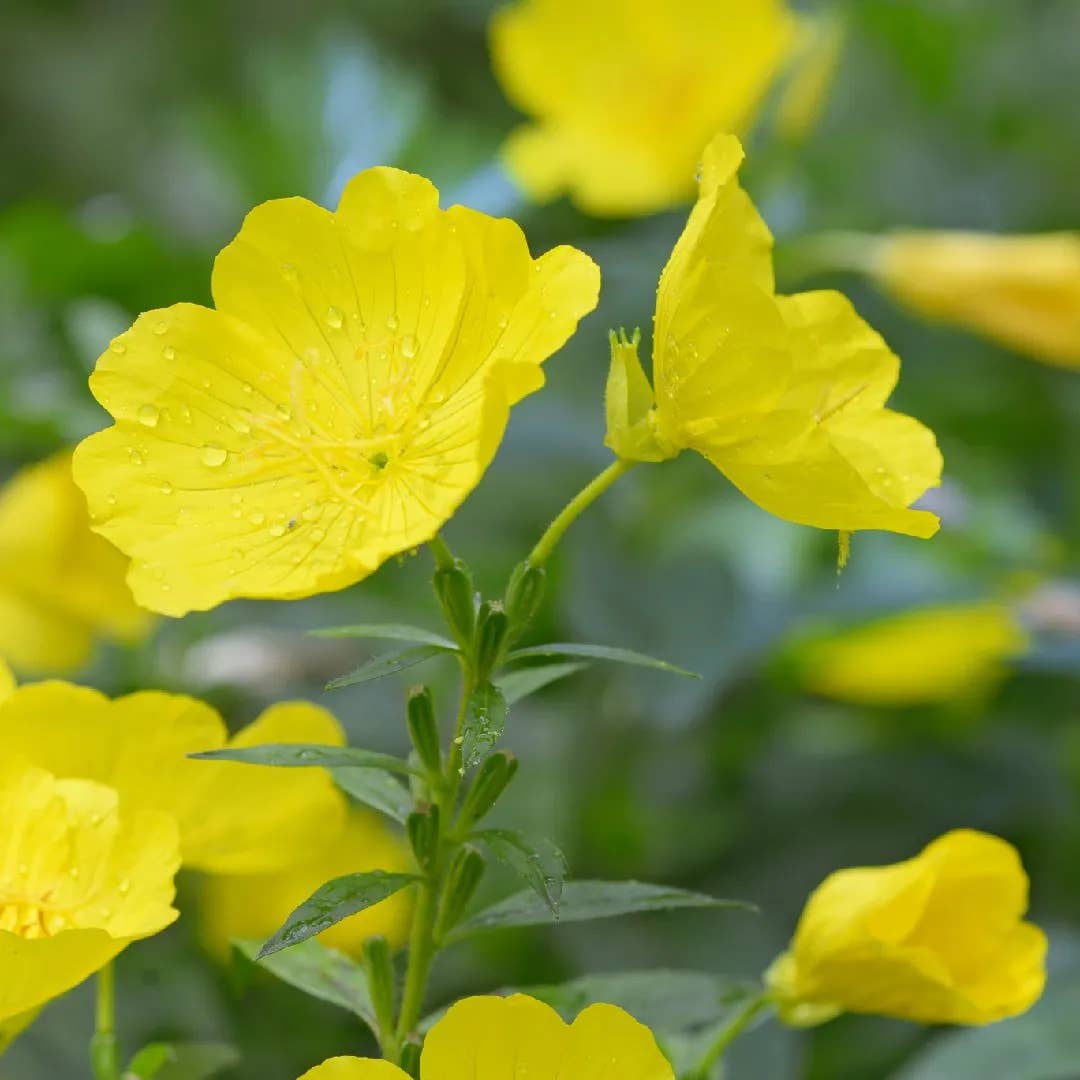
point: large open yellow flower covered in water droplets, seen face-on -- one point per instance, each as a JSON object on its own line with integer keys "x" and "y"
{"x": 345, "y": 397}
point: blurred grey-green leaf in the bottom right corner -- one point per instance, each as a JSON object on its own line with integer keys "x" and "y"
{"x": 1043, "y": 1045}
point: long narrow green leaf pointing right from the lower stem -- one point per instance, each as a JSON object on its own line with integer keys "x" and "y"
{"x": 590, "y": 900}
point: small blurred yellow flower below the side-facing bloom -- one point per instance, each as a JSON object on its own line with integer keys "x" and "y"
{"x": 930, "y": 655}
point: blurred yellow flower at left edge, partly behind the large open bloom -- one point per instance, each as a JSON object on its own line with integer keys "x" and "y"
{"x": 61, "y": 586}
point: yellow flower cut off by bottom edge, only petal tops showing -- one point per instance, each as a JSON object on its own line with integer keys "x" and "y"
{"x": 522, "y": 1037}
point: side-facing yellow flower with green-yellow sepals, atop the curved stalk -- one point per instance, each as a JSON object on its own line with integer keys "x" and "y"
{"x": 785, "y": 395}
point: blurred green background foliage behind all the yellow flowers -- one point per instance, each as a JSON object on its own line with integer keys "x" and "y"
{"x": 134, "y": 139}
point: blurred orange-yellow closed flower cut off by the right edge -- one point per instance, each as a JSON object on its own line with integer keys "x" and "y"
{"x": 1023, "y": 291}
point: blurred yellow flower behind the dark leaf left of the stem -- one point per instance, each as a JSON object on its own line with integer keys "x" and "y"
{"x": 255, "y": 906}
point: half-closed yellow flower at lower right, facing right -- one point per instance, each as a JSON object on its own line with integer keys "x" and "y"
{"x": 939, "y": 939}
